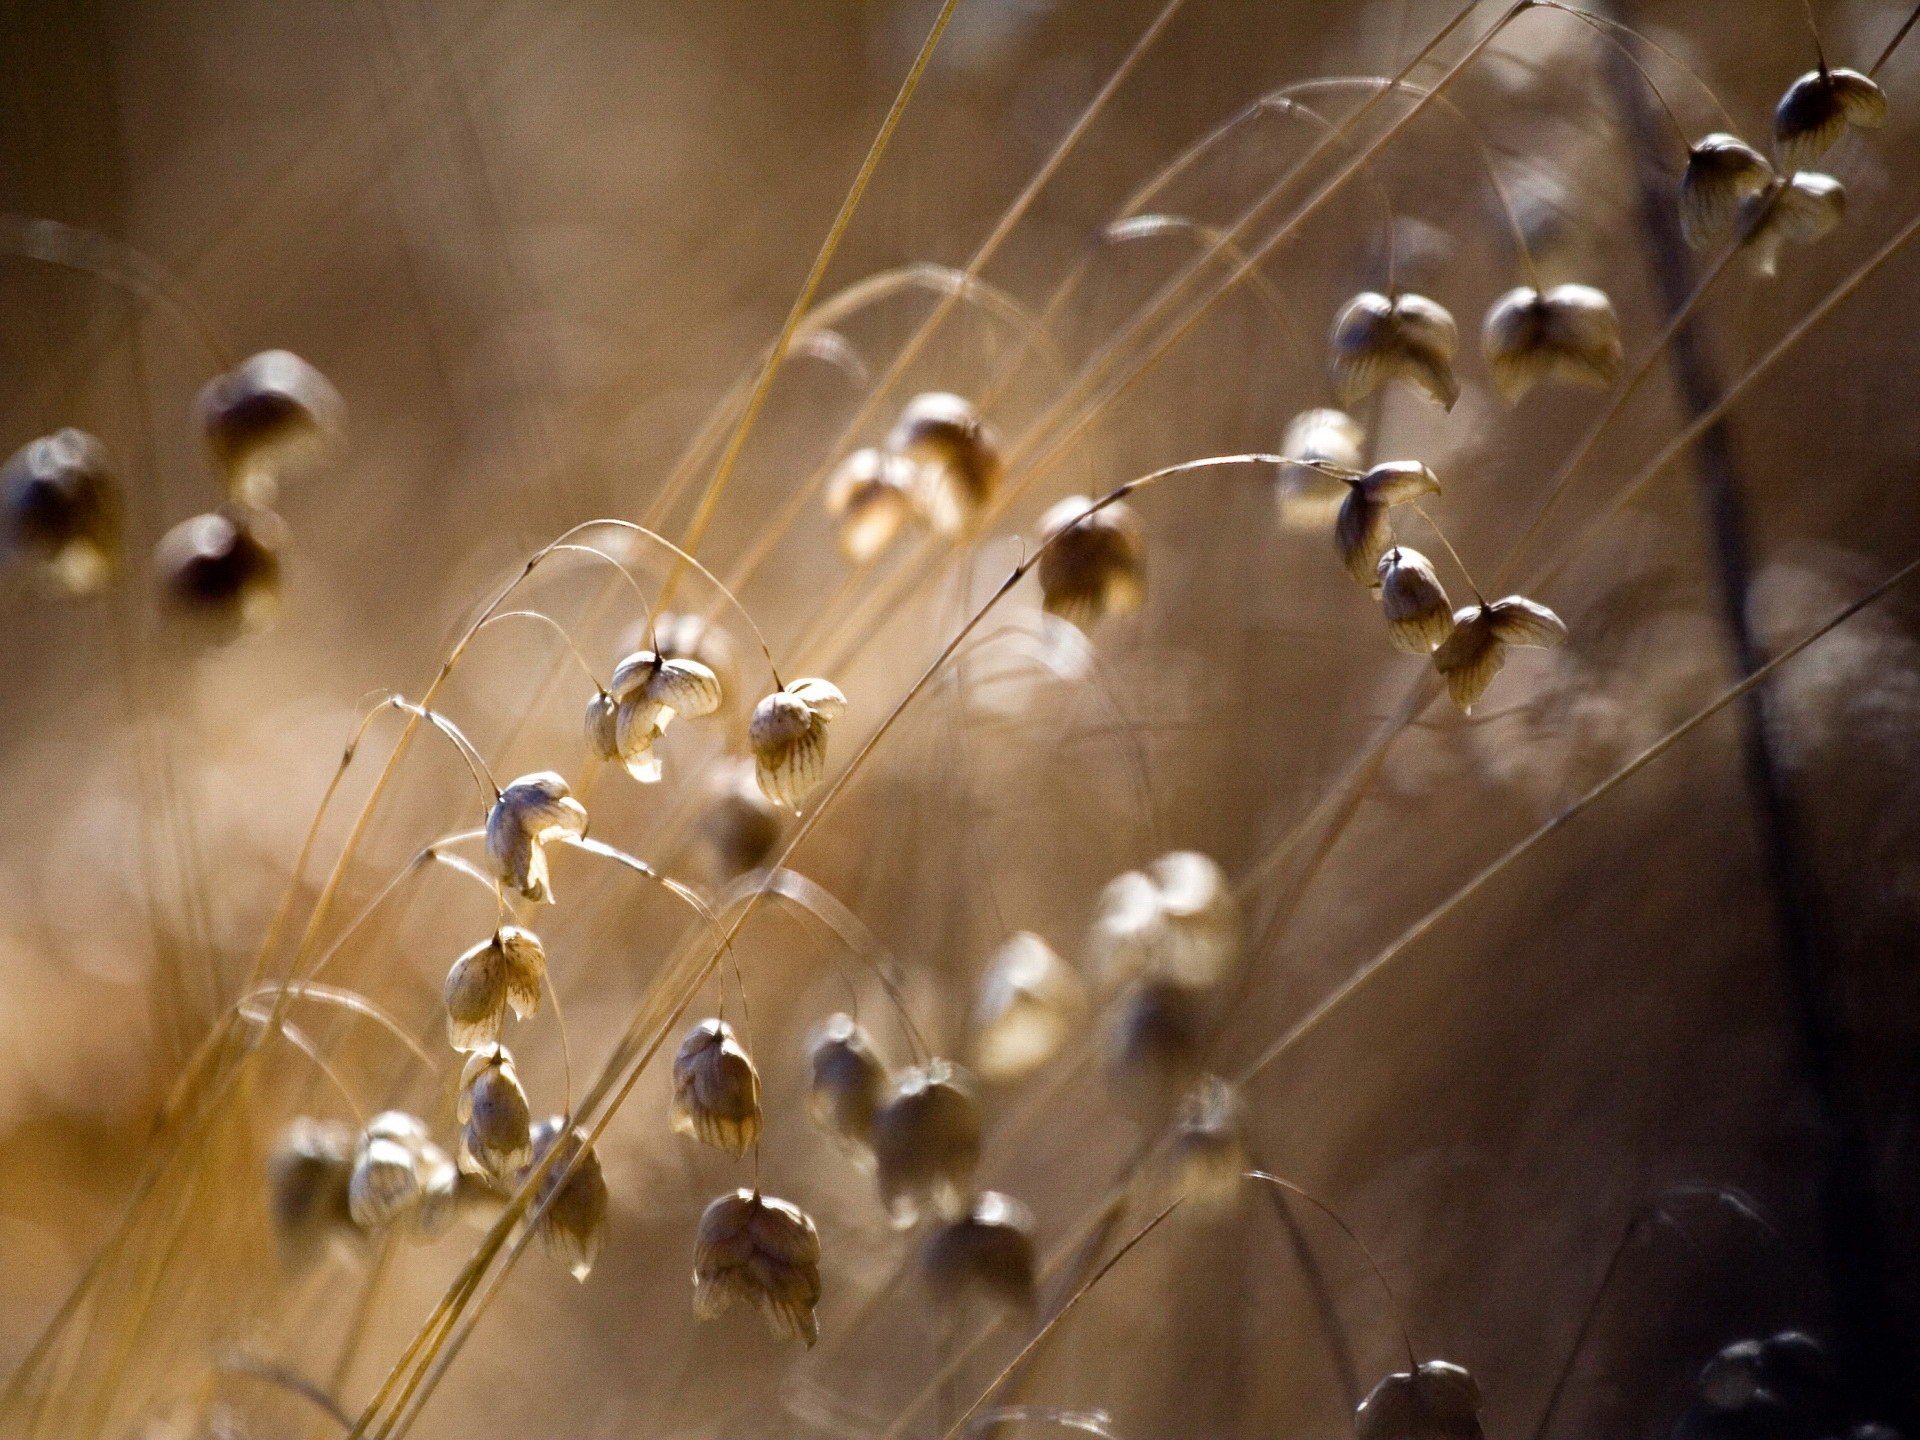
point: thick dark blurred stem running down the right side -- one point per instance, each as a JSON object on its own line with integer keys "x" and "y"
{"x": 1867, "y": 1343}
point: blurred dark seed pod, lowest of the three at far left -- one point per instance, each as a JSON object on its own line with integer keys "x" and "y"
{"x": 220, "y": 573}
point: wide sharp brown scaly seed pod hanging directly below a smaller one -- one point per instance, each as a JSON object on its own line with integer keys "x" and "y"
{"x": 765, "y": 1253}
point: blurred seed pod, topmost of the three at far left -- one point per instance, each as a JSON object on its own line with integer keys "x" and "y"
{"x": 266, "y": 418}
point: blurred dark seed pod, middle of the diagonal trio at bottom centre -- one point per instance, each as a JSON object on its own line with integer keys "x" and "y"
{"x": 926, "y": 1143}
